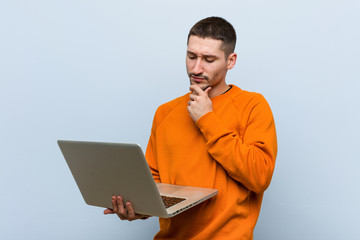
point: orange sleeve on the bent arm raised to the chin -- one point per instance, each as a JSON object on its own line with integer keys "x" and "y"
{"x": 249, "y": 155}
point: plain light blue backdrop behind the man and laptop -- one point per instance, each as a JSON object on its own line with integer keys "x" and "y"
{"x": 97, "y": 70}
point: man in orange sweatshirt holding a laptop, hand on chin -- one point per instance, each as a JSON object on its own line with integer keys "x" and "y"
{"x": 216, "y": 136}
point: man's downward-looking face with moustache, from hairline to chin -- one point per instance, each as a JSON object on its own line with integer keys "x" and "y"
{"x": 205, "y": 62}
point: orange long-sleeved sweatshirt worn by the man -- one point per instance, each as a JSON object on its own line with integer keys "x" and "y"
{"x": 232, "y": 149}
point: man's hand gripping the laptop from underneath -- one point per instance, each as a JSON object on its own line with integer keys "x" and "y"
{"x": 125, "y": 212}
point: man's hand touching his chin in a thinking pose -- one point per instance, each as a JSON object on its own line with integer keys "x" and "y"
{"x": 199, "y": 103}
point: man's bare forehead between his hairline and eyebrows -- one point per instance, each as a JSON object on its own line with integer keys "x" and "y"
{"x": 206, "y": 46}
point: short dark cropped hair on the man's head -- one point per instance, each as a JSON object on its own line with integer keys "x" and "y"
{"x": 216, "y": 28}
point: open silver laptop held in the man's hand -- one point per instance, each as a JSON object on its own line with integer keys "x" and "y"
{"x": 102, "y": 170}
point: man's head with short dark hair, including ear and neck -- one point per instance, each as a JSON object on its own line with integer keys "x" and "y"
{"x": 210, "y": 54}
